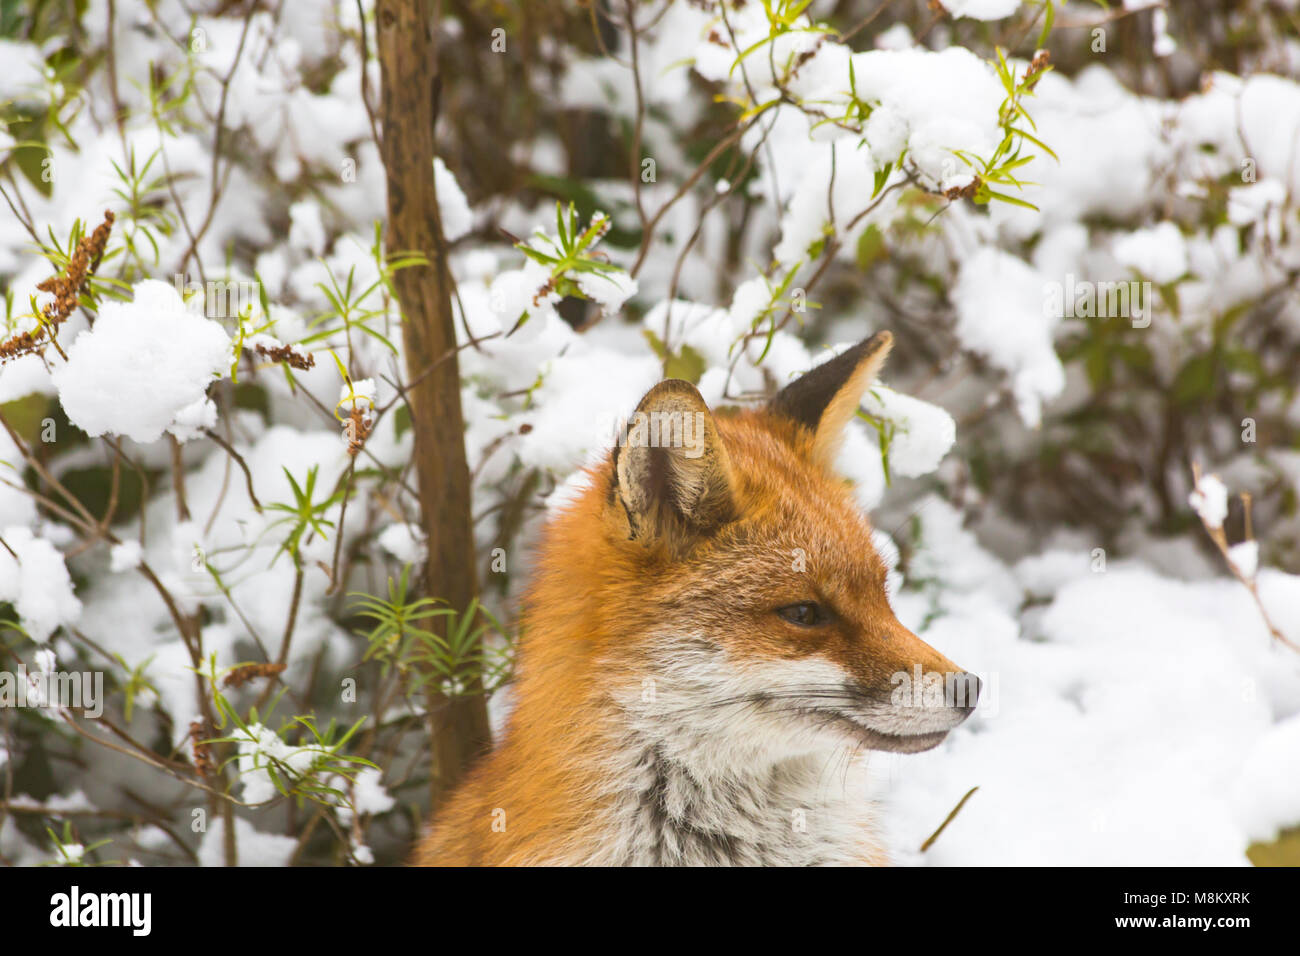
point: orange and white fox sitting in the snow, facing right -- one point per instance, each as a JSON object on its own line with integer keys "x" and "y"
{"x": 708, "y": 654}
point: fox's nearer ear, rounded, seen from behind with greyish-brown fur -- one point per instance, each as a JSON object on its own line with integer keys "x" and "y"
{"x": 671, "y": 469}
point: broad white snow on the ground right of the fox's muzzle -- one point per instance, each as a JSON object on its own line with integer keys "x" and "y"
{"x": 1084, "y": 747}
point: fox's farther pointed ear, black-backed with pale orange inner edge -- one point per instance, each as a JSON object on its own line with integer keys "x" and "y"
{"x": 827, "y": 397}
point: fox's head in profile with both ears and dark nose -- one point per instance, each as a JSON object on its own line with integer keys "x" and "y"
{"x": 726, "y": 581}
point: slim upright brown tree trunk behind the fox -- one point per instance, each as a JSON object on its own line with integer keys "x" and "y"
{"x": 408, "y": 53}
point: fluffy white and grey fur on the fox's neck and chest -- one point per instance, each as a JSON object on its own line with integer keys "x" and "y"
{"x": 690, "y": 781}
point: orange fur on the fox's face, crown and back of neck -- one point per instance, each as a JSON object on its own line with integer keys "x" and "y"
{"x": 603, "y": 596}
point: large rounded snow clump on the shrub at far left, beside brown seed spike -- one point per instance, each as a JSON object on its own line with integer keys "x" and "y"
{"x": 144, "y": 367}
